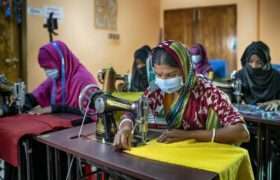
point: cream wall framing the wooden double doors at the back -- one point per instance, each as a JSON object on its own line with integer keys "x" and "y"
{"x": 246, "y": 17}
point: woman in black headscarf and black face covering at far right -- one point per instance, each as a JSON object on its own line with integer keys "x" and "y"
{"x": 260, "y": 82}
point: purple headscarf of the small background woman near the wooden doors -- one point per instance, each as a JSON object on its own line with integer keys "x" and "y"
{"x": 203, "y": 67}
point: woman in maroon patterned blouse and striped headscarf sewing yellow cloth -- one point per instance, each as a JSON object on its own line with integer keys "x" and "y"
{"x": 193, "y": 107}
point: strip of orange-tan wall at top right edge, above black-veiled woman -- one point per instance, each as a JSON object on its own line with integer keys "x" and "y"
{"x": 270, "y": 26}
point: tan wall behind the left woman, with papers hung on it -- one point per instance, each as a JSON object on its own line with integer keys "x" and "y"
{"x": 138, "y": 24}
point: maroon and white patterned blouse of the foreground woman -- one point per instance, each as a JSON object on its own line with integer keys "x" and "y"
{"x": 204, "y": 96}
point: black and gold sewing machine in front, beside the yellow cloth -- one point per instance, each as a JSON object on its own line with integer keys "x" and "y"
{"x": 106, "y": 106}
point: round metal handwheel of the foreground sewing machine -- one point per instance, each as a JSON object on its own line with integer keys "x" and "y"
{"x": 85, "y": 98}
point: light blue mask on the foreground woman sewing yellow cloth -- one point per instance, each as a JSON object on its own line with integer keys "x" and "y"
{"x": 170, "y": 85}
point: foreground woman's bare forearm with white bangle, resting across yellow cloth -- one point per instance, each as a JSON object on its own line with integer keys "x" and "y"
{"x": 228, "y": 135}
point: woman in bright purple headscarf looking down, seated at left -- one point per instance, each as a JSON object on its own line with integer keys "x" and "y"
{"x": 59, "y": 93}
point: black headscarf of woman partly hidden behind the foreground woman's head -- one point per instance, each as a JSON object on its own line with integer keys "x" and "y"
{"x": 139, "y": 77}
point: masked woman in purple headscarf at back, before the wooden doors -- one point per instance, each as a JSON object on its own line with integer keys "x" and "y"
{"x": 200, "y": 61}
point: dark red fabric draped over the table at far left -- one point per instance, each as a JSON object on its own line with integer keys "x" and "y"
{"x": 13, "y": 128}
